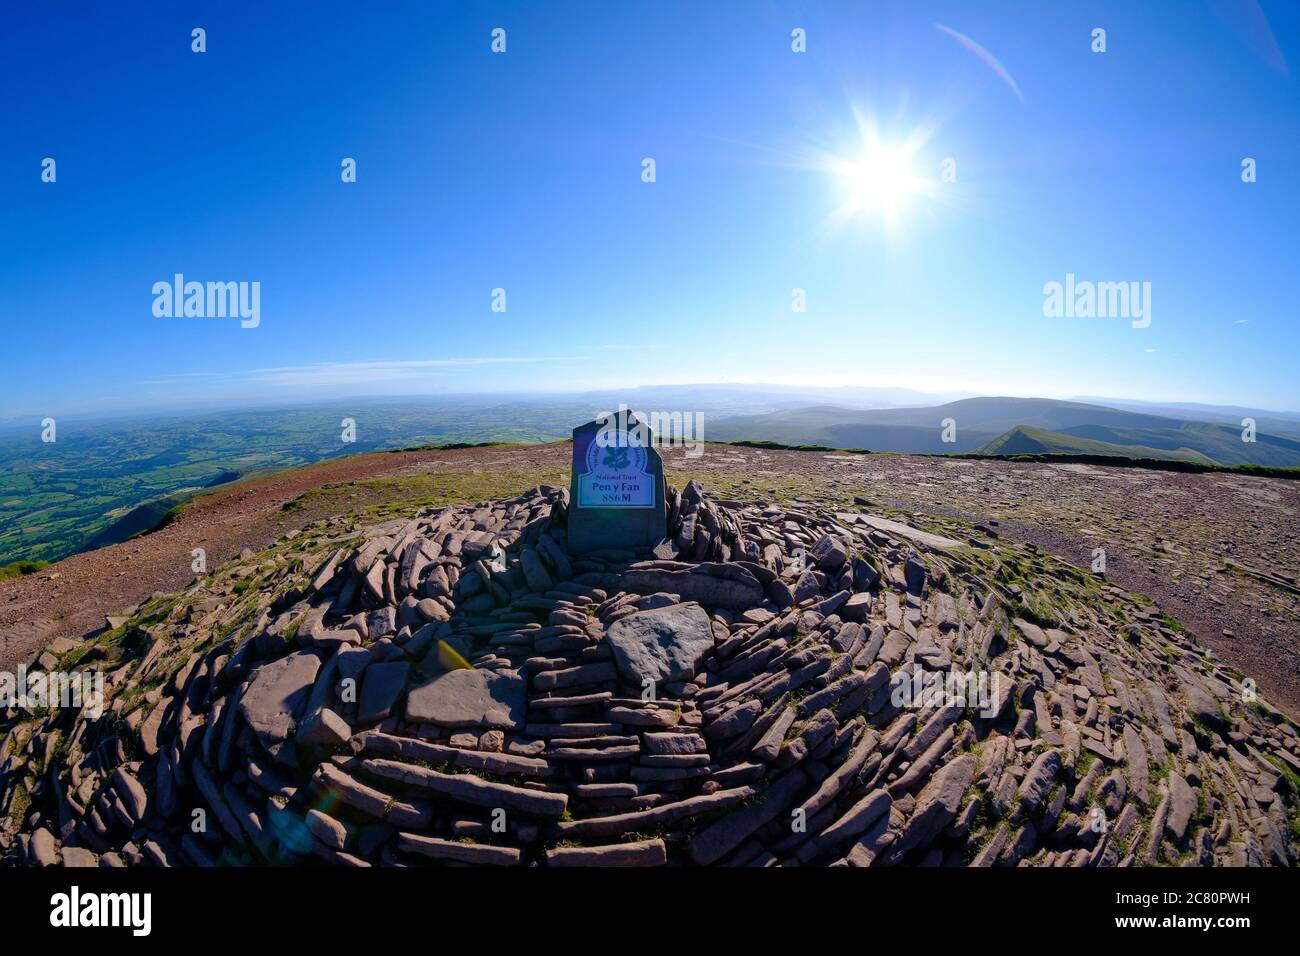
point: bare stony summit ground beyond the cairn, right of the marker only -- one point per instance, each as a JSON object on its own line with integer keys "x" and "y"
{"x": 1220, "y": 553}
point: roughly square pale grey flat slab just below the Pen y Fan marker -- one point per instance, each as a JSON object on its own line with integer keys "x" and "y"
{"x": 664, "y": 644}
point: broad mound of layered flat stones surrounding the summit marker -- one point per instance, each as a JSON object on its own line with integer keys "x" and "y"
{"x": 458, "y": 689}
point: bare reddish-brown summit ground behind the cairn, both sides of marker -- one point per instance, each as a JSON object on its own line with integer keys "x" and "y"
{"x": 1167, "y": 535}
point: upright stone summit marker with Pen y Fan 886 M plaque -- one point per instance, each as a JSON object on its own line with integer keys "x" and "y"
{"x": 617, "y": 495}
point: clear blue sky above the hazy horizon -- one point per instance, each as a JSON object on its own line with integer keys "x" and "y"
{"x": 523, "y": 171}
